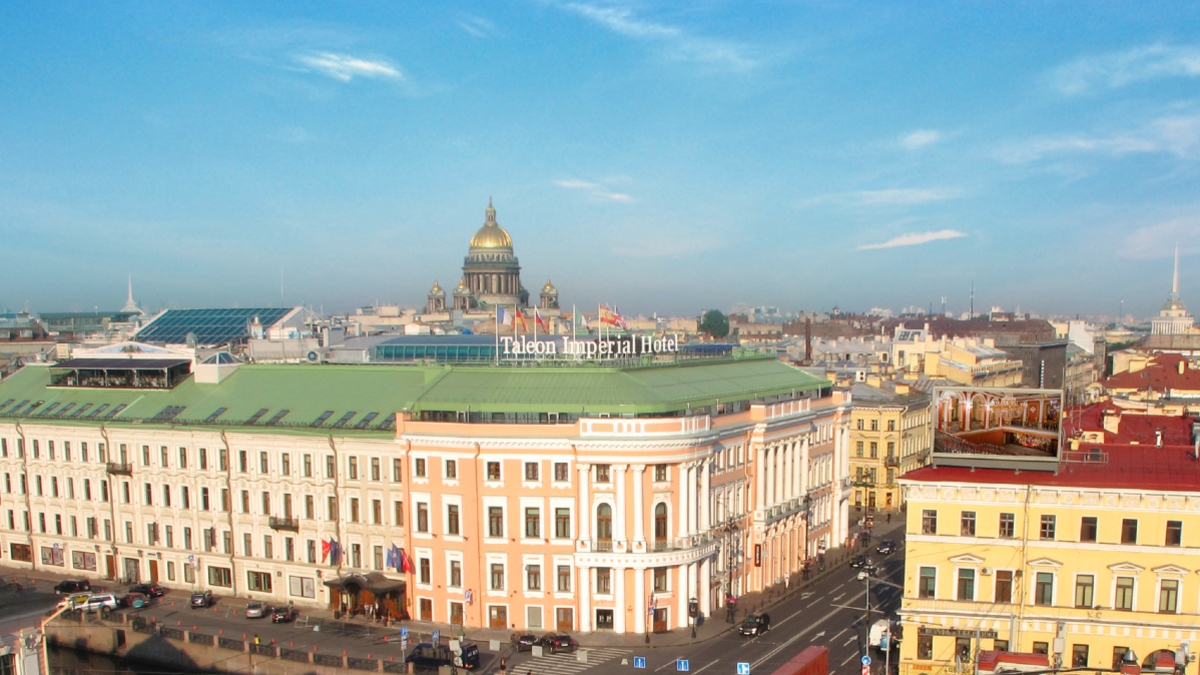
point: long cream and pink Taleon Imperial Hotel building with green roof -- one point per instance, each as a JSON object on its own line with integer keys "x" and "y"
{"x": 574, "y": 498}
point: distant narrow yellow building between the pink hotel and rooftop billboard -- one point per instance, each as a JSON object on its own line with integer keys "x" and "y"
{"x": 890, "y": 438}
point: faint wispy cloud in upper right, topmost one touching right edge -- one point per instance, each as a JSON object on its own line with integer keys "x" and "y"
{"x": 1121, "y": 69}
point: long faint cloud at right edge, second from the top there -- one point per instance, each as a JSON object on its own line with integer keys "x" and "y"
{"x": 1178, "y": 135}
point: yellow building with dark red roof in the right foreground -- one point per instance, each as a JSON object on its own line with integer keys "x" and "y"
{"x": 1083, "y": 559}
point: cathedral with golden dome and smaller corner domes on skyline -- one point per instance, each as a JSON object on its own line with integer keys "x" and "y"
{"x": 491, "y": 276}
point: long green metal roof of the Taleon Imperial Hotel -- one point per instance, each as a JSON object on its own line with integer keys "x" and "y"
{"x": 309, "y": 392}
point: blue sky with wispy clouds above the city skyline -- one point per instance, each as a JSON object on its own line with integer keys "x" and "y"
{"x": 663, "y": 157}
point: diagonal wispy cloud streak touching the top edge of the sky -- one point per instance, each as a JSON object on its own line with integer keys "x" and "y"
{"x": 676, "y": 43}
